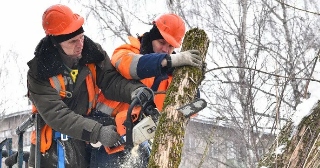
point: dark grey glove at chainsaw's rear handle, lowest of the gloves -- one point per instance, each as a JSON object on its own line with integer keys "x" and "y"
{"x": 108, "y": 135}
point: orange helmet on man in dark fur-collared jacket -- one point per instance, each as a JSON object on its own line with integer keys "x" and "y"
{"x": 59, "y": 19}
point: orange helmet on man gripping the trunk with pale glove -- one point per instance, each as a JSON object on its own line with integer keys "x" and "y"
{"x": 172, "y": 28}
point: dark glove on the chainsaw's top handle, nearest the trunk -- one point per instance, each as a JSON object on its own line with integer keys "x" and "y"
{"x": 143, "y": 95}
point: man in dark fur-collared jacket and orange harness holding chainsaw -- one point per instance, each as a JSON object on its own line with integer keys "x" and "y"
{"x": 64, "y": 78}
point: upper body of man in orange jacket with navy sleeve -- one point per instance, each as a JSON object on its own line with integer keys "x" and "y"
{"x": 151, "y": 57}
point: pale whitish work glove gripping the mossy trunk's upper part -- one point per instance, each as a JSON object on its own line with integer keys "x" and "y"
{"x": 189, "y": 57}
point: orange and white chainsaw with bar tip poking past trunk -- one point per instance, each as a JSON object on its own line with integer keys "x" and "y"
{"x": 139, "y": 123}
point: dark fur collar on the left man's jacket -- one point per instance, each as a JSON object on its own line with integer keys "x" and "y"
{"x": 47, "y": 61}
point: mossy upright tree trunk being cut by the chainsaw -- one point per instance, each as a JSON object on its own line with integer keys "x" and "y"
{"x": 168, "y": 141}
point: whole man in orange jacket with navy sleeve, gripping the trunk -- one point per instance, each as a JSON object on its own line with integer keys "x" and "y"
{"x": 151, "y": 59}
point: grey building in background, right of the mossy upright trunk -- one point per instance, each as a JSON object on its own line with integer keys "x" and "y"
{"x": 209, "y": 145}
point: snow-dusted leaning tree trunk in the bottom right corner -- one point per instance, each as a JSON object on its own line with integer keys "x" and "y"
{"x": 299, "y": 145}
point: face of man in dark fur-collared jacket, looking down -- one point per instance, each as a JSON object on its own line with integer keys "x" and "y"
{"x": 73, "y": 47}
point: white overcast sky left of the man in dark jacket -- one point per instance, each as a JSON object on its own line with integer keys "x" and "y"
{"x": 21, "y": 30}
